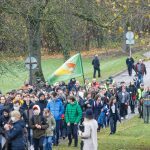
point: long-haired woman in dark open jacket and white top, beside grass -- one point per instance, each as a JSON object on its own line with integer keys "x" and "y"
{"x": 114, "y": 115}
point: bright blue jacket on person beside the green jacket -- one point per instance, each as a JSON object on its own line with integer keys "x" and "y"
{"x": 56, "y": 107}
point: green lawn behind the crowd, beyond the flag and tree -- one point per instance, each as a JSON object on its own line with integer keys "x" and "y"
{"x": 109, "y": 66}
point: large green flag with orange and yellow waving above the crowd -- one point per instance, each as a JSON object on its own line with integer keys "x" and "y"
{"x": 70, "y": 69}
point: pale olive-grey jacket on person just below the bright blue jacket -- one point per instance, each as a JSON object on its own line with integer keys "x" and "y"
{"x": 52, "y": 124}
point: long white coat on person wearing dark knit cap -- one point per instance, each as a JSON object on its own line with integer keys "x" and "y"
{"x": 89, "y": 135}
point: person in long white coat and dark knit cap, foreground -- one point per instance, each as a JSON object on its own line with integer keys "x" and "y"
{"x": 89, "y": 133}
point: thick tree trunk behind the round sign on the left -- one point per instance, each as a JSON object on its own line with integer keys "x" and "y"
{"x": 34, "y": 44}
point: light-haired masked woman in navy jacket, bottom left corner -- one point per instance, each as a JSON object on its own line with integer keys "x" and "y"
{"x": 15, "y": 132}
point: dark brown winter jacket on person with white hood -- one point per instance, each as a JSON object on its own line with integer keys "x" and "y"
{"x": 40, "y": 120}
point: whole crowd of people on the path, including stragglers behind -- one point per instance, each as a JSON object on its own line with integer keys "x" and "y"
{"x": 40, "y": 116}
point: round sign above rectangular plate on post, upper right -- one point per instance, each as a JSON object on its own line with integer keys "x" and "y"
{"x": 130, "y": 40}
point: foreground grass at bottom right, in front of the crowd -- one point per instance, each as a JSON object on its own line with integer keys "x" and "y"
{"x": 131, "y": 135}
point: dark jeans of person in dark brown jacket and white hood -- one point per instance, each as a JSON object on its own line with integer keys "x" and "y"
{"x": 39, "y": 143}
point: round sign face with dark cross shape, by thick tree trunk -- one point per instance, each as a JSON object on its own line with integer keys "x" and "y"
{"x": 31, "y": 63}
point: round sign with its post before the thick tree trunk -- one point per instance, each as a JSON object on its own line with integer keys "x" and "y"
{"x": 30, "y": 63}
